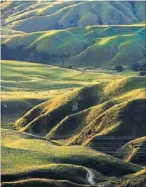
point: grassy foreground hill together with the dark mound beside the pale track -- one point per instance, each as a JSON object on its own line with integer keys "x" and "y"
{"x": 26, "y": 159}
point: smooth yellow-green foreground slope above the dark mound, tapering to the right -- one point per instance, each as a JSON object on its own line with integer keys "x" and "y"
{"x": 21, "y": 153}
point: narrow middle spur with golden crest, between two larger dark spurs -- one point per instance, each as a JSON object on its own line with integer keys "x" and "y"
{"x": 73, "y": 124}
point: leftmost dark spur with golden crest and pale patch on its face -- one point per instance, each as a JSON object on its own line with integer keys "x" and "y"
{"x": 50, "y": 113}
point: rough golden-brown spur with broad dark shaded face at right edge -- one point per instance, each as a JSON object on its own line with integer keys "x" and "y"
{"x": 114, "y": 122}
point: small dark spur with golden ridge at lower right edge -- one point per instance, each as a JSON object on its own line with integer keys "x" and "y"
{"x": 134, "y": 151}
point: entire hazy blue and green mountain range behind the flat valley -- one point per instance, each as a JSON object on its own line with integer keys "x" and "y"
{"x": 85, "y": 34}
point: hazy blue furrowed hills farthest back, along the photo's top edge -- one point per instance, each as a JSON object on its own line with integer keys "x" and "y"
{"x": 33, "y": 16}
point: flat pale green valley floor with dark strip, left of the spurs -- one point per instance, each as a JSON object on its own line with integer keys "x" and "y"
{"x": 25, "y": 85}
